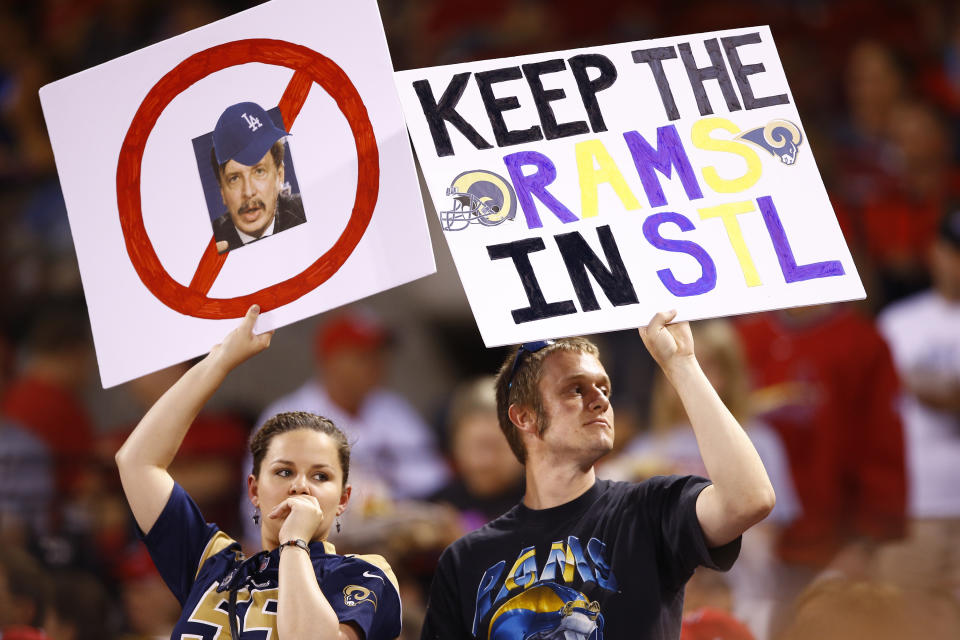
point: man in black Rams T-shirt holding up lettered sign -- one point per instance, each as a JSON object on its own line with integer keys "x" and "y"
{"x": 587, "y": 558}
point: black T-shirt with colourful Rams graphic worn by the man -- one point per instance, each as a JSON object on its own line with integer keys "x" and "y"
{"x": 609, "y": 564}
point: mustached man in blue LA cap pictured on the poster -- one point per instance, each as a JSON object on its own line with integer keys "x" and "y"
{"x": 247, "y": 158}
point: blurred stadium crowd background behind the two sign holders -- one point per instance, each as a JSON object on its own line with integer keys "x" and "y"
{"x": 854, "y": 408}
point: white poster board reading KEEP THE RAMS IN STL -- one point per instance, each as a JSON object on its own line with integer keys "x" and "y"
{"x": 582, "y": 191}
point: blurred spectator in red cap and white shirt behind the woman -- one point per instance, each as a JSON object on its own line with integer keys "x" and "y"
{"x": 394, "y": 455}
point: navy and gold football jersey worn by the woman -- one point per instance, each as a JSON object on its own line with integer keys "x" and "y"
{"x": 201, "y": 564}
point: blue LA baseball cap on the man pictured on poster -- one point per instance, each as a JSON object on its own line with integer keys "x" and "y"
{"x": 244, "y": 132}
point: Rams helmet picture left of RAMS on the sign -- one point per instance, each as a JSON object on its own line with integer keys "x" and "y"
{"x": 479, "y": 196}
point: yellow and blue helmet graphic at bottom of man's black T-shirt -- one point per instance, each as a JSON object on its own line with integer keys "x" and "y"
{"x": 548, "y": 611}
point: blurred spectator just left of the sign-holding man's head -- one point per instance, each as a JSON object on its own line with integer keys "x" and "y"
{"x": 489, "y": 479}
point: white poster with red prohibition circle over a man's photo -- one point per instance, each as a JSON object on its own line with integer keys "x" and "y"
{"x": 165, "y": 264}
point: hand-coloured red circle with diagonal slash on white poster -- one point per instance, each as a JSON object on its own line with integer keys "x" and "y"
{"x": 309, "y": 67}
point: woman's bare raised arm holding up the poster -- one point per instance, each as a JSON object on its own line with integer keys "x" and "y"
{"x": 144, "y": 457}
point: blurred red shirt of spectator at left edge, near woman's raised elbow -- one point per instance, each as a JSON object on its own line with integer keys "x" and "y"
{"x": 58, "y": 417}
